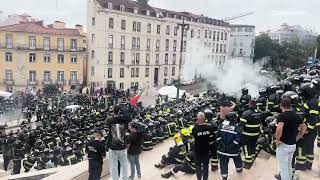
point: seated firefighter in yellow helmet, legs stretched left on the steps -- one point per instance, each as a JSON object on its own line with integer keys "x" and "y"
{"x": 175, "y": 155}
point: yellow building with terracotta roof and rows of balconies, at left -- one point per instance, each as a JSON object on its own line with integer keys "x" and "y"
{"x": 33, "y": 55}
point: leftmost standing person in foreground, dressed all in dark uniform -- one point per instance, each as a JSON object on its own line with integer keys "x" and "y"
{"x": 96, "y": 153}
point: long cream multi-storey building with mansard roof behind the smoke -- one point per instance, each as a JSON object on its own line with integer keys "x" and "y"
{"x": 132, "y": 45}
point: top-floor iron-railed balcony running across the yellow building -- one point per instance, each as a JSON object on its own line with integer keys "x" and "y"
{"x": 26, "y": 47}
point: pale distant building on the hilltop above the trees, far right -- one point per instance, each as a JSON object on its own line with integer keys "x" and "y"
{"x": 290, "y": 33}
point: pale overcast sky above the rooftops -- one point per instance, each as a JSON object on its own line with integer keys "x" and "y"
{"x": 269, "y": 14}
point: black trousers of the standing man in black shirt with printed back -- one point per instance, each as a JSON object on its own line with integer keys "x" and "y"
{"x": 202, "y": 166}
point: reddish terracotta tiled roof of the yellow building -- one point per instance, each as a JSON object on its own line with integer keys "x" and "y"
{"x": 31, "y": 27}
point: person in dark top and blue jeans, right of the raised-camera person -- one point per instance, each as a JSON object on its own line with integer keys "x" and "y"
{"x": 135, "y": 140}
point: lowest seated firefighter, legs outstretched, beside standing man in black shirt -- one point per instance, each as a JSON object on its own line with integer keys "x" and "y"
{"x": 188, "y": 167}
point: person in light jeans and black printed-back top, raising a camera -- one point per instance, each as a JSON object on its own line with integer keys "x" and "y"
{"x": 117, "y": 143}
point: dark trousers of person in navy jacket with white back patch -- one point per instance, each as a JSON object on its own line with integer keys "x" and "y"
{"x": 224, "y": 161}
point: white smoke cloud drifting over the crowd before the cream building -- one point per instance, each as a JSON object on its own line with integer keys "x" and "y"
{"x": 229, "y": 77}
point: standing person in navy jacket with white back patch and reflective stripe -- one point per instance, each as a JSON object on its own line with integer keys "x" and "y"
{"x": 228, "y": 140}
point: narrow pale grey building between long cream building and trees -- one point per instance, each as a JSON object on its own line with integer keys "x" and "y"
{"x": 242, "y": 42}
